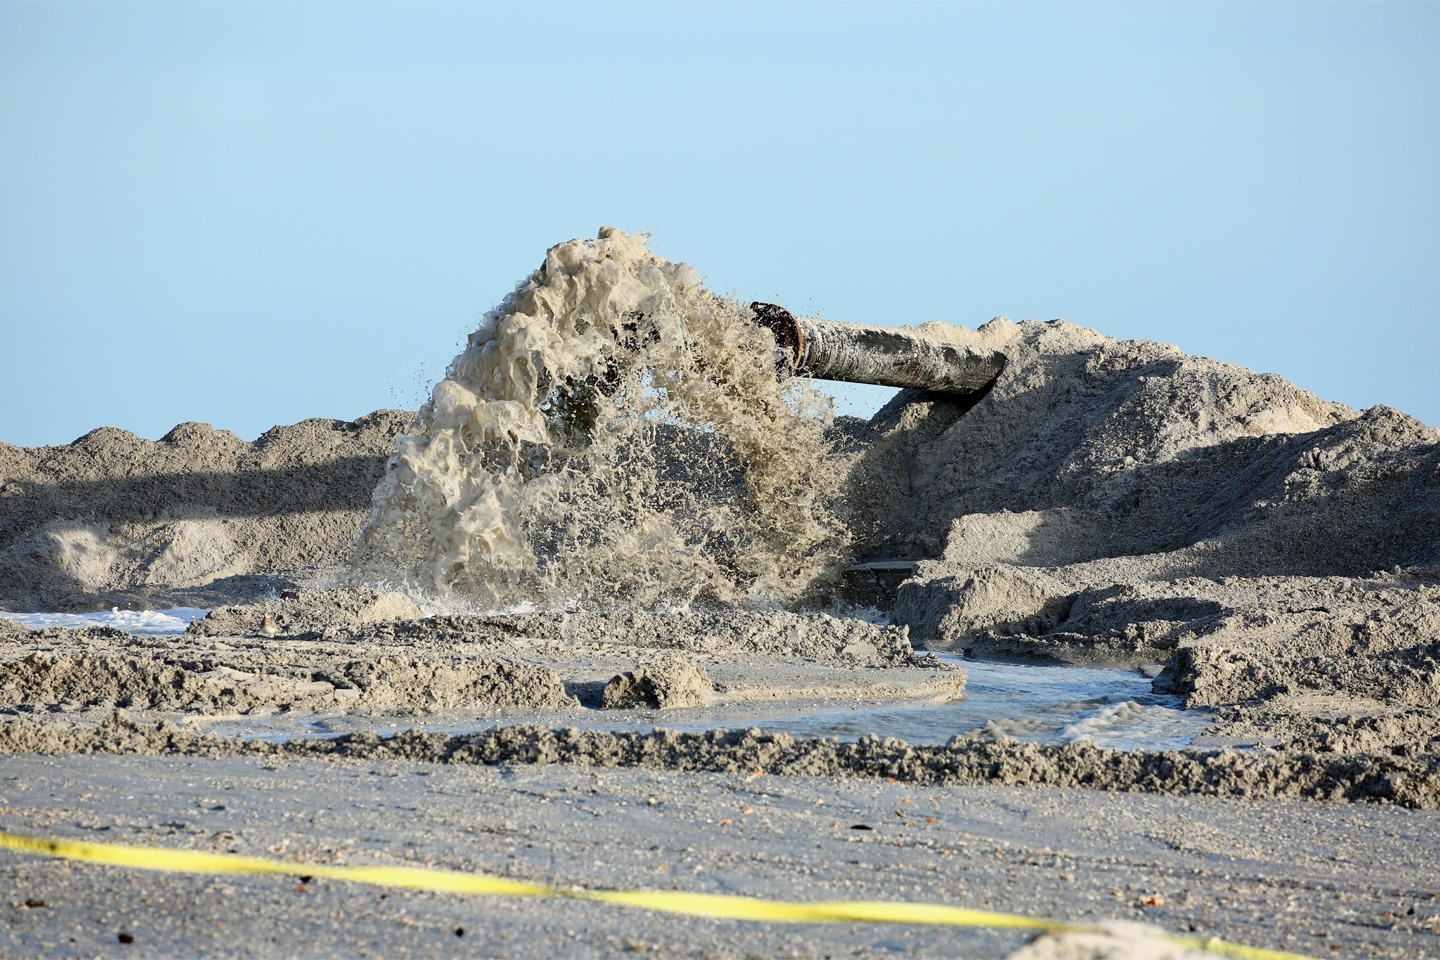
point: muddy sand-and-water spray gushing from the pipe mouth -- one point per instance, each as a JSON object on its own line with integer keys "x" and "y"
{"x": 614, "y": 431}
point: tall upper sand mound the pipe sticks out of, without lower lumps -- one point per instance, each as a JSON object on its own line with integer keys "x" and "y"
{"x": 1089, "y": 448}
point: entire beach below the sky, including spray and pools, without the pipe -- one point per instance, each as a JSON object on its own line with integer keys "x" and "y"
{"x": 626, "y": 607}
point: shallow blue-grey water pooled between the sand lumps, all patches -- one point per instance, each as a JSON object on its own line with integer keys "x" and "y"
{"x": 1043, "y": 705}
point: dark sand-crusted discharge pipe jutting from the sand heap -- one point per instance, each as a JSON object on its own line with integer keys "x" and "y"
{"x": 883, "y": 356}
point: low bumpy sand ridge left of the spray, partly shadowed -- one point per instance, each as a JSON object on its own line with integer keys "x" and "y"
{"x": 197, "y": 519}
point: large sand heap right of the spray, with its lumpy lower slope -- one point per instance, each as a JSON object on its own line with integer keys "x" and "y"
{"x": 1127, "y": 503}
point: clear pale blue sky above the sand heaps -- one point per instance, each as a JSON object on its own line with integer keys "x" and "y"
{"x": 256, "y": 214}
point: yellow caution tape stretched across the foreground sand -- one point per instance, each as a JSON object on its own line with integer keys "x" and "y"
{"x": 721, "y": 906}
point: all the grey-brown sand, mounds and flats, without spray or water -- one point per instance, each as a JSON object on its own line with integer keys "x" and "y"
{"x": 1274, "y": 556}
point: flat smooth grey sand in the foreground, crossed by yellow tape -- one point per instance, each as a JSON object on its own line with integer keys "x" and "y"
{"x": 1320, "y": 879}
